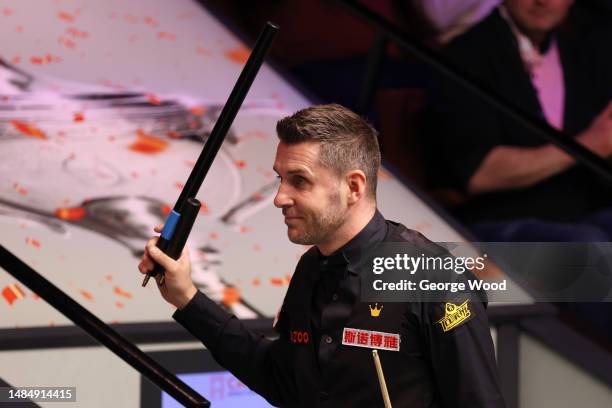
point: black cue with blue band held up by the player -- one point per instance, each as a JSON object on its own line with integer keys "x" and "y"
{"x": 183, "y": 215}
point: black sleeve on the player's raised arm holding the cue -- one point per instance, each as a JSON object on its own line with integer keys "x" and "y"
{"x": 255, "y": 360}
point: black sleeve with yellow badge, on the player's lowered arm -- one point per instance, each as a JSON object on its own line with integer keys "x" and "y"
{"x": 462, "y": 354}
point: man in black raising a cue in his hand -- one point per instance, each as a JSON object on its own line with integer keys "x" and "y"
{"x": 327, "y": 161}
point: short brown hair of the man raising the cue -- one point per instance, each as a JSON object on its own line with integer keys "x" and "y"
{"x": 347, "y": 141}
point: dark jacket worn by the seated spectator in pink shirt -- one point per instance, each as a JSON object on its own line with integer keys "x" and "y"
{"x": 471, "y": 128}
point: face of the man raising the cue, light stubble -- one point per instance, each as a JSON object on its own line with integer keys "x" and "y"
{"x": 310, "y": 195}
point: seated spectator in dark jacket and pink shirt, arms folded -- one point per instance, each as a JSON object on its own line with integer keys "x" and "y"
{"x": 521, "y": 188}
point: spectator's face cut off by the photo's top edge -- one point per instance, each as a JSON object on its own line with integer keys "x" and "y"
{"x": 538, "y": 16}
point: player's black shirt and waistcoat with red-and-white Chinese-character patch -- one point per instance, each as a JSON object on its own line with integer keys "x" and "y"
{"x": 310, "y": 365}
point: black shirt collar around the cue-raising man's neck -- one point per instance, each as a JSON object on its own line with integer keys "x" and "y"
{"x": 350, "y": 253}
